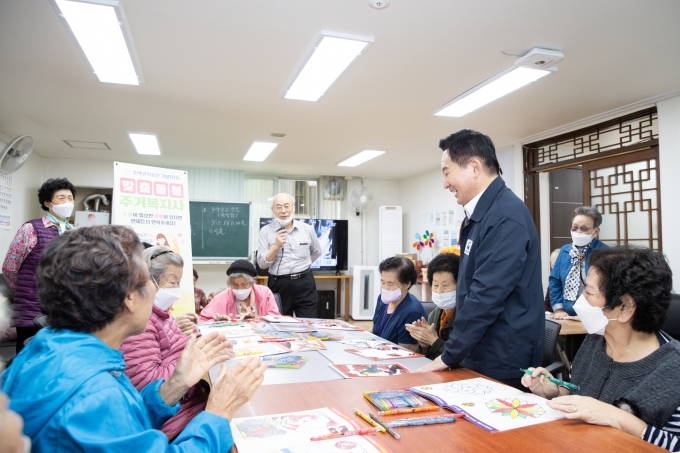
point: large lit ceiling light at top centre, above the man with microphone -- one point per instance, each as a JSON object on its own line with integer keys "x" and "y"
{"x": 333, "y": 53}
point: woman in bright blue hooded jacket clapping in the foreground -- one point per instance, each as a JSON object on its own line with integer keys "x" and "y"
{"x": 69, "y": 384}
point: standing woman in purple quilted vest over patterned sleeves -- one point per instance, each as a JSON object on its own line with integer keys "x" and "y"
{"x": 55, "y": 197}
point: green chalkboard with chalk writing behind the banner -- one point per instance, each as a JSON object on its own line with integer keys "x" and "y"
{"x": 219, "y": 230}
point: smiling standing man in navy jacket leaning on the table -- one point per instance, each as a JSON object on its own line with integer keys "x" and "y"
{"x": 500, "y": 320}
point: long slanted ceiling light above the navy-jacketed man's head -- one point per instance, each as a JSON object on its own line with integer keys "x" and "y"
{"x": 488, "y": 91}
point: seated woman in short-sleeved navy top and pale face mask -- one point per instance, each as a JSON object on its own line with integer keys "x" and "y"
{"x": 396, "y": 307}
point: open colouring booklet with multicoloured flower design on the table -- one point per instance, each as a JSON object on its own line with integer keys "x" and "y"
{"x": 493, "y": 406}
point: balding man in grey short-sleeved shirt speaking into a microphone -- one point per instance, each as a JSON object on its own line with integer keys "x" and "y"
{"x": 288, "y": 247}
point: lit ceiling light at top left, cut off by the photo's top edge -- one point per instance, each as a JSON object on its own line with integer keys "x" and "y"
{"x": 98, "y": 28}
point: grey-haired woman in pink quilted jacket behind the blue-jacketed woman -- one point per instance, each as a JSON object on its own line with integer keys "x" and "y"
{"x": 153, "y": 354}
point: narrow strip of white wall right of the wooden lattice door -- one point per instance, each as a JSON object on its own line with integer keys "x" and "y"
{"x": 669, "y": 162}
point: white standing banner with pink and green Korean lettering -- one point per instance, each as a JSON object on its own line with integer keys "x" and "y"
{"x": 155, "y": 203}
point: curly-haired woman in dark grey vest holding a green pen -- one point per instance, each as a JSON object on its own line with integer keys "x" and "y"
{"x": 627, "y": 368}
